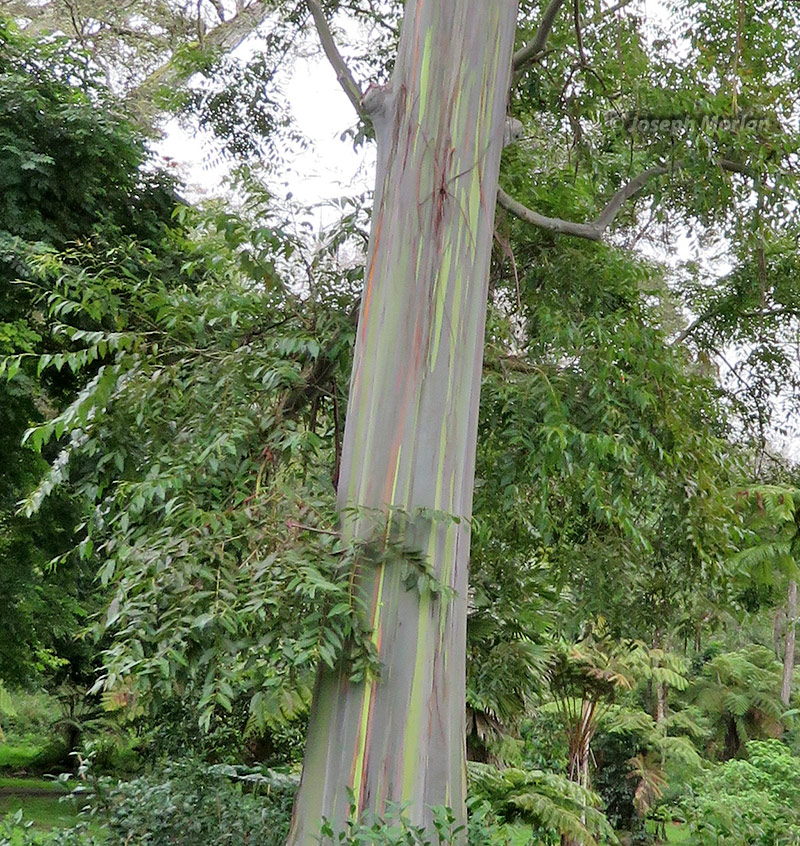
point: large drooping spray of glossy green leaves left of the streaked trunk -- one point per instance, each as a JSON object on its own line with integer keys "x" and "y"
{"x": 214, "y": 524}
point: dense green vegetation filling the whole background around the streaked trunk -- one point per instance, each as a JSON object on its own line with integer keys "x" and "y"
{"x": 173, "y": 569}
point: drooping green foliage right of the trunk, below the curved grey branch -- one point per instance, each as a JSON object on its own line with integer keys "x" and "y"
{"x": 588, "y": 438}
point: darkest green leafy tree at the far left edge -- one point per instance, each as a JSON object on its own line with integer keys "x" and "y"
{"x": 71, "y": 168}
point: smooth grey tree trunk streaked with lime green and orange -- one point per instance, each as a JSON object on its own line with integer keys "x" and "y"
{"x": 412, "y": 417}
